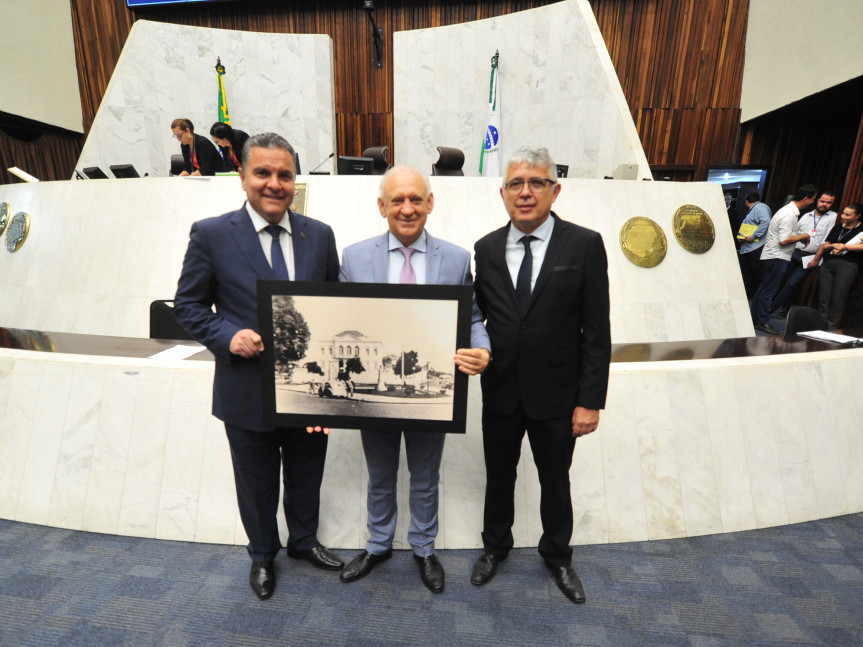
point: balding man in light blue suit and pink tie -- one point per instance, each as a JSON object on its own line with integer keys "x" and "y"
{"x": 408, "y": 254}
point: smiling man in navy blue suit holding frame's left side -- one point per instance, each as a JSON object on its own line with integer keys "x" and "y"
{"x": 227, "y": 255}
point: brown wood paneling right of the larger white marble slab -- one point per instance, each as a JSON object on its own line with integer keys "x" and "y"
{"x": 679, "y": 63}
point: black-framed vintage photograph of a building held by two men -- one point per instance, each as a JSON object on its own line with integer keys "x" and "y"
{"x": 364, "y": 355}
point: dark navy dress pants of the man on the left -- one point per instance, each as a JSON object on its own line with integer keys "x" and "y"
{"x": 258, "y": 457}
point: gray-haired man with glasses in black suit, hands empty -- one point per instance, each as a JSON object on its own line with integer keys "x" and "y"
{"x": 542, "y": 285}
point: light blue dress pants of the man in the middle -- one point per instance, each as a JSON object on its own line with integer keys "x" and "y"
{"x": 423, "y": 451}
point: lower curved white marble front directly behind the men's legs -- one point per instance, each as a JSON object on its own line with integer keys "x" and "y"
{"x": 674, "y": 456}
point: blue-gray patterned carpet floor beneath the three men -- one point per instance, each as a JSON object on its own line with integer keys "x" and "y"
{"x": 794, "y": 585}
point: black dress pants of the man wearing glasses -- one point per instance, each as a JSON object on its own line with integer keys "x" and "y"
{"x": 552, "y": 445}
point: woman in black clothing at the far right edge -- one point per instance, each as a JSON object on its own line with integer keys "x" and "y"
{"x": 842, "y": 251}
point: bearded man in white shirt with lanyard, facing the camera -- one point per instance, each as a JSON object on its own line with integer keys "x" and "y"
{"x": 811, "y": 230}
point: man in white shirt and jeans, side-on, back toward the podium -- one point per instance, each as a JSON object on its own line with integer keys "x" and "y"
{"x": 777, "y": 254}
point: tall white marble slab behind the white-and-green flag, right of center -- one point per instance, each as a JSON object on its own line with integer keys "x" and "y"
{"x": 557, "y": 87}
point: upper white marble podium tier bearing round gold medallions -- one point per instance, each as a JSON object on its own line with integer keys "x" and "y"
{"x": 99, "y": 252}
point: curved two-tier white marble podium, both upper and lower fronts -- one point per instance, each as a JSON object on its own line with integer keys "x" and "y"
{"x": 128, "y": 446}
